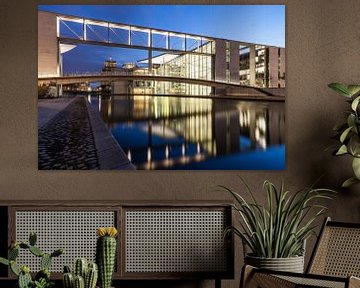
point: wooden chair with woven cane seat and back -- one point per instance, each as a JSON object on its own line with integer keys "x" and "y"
{"x": 335, "y": 262}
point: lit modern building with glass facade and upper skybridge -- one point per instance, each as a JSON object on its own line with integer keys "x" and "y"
{"x": 170, "y": 54}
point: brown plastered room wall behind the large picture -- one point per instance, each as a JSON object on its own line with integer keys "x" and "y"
{"x": 322, "y": 47}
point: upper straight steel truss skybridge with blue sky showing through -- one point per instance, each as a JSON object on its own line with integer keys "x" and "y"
{"x": 78, "y": 30}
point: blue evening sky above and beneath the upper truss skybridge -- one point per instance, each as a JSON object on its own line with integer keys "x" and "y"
{"x": 263, "y": 24}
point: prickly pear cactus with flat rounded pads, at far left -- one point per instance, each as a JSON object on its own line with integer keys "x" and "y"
{"x": 42, "y": 278}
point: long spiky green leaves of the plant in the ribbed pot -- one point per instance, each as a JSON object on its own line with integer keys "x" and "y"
{"x": 279, "y": 229}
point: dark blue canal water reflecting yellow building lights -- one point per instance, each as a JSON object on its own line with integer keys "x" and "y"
{"x": 161, "y": 132}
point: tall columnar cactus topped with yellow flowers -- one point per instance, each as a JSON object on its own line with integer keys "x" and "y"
{"x": 105, "y": 254}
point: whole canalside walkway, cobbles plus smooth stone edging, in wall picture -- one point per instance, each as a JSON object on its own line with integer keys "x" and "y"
{"x": 72, "y": 136}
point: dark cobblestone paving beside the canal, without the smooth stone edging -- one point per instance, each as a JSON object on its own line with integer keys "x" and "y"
{"x": 66, "y": 141}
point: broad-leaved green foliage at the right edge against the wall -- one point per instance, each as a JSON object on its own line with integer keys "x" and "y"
{"x": 348, "y": 132}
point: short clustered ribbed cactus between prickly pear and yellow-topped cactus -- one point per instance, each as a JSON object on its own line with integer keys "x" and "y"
{"x": 85, "y": 275}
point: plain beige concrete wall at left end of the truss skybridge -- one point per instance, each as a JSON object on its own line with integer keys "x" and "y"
{"x": 47, "y": 44}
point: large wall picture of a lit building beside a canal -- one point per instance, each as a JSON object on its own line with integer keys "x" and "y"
{"x": 161, "y": 87}
